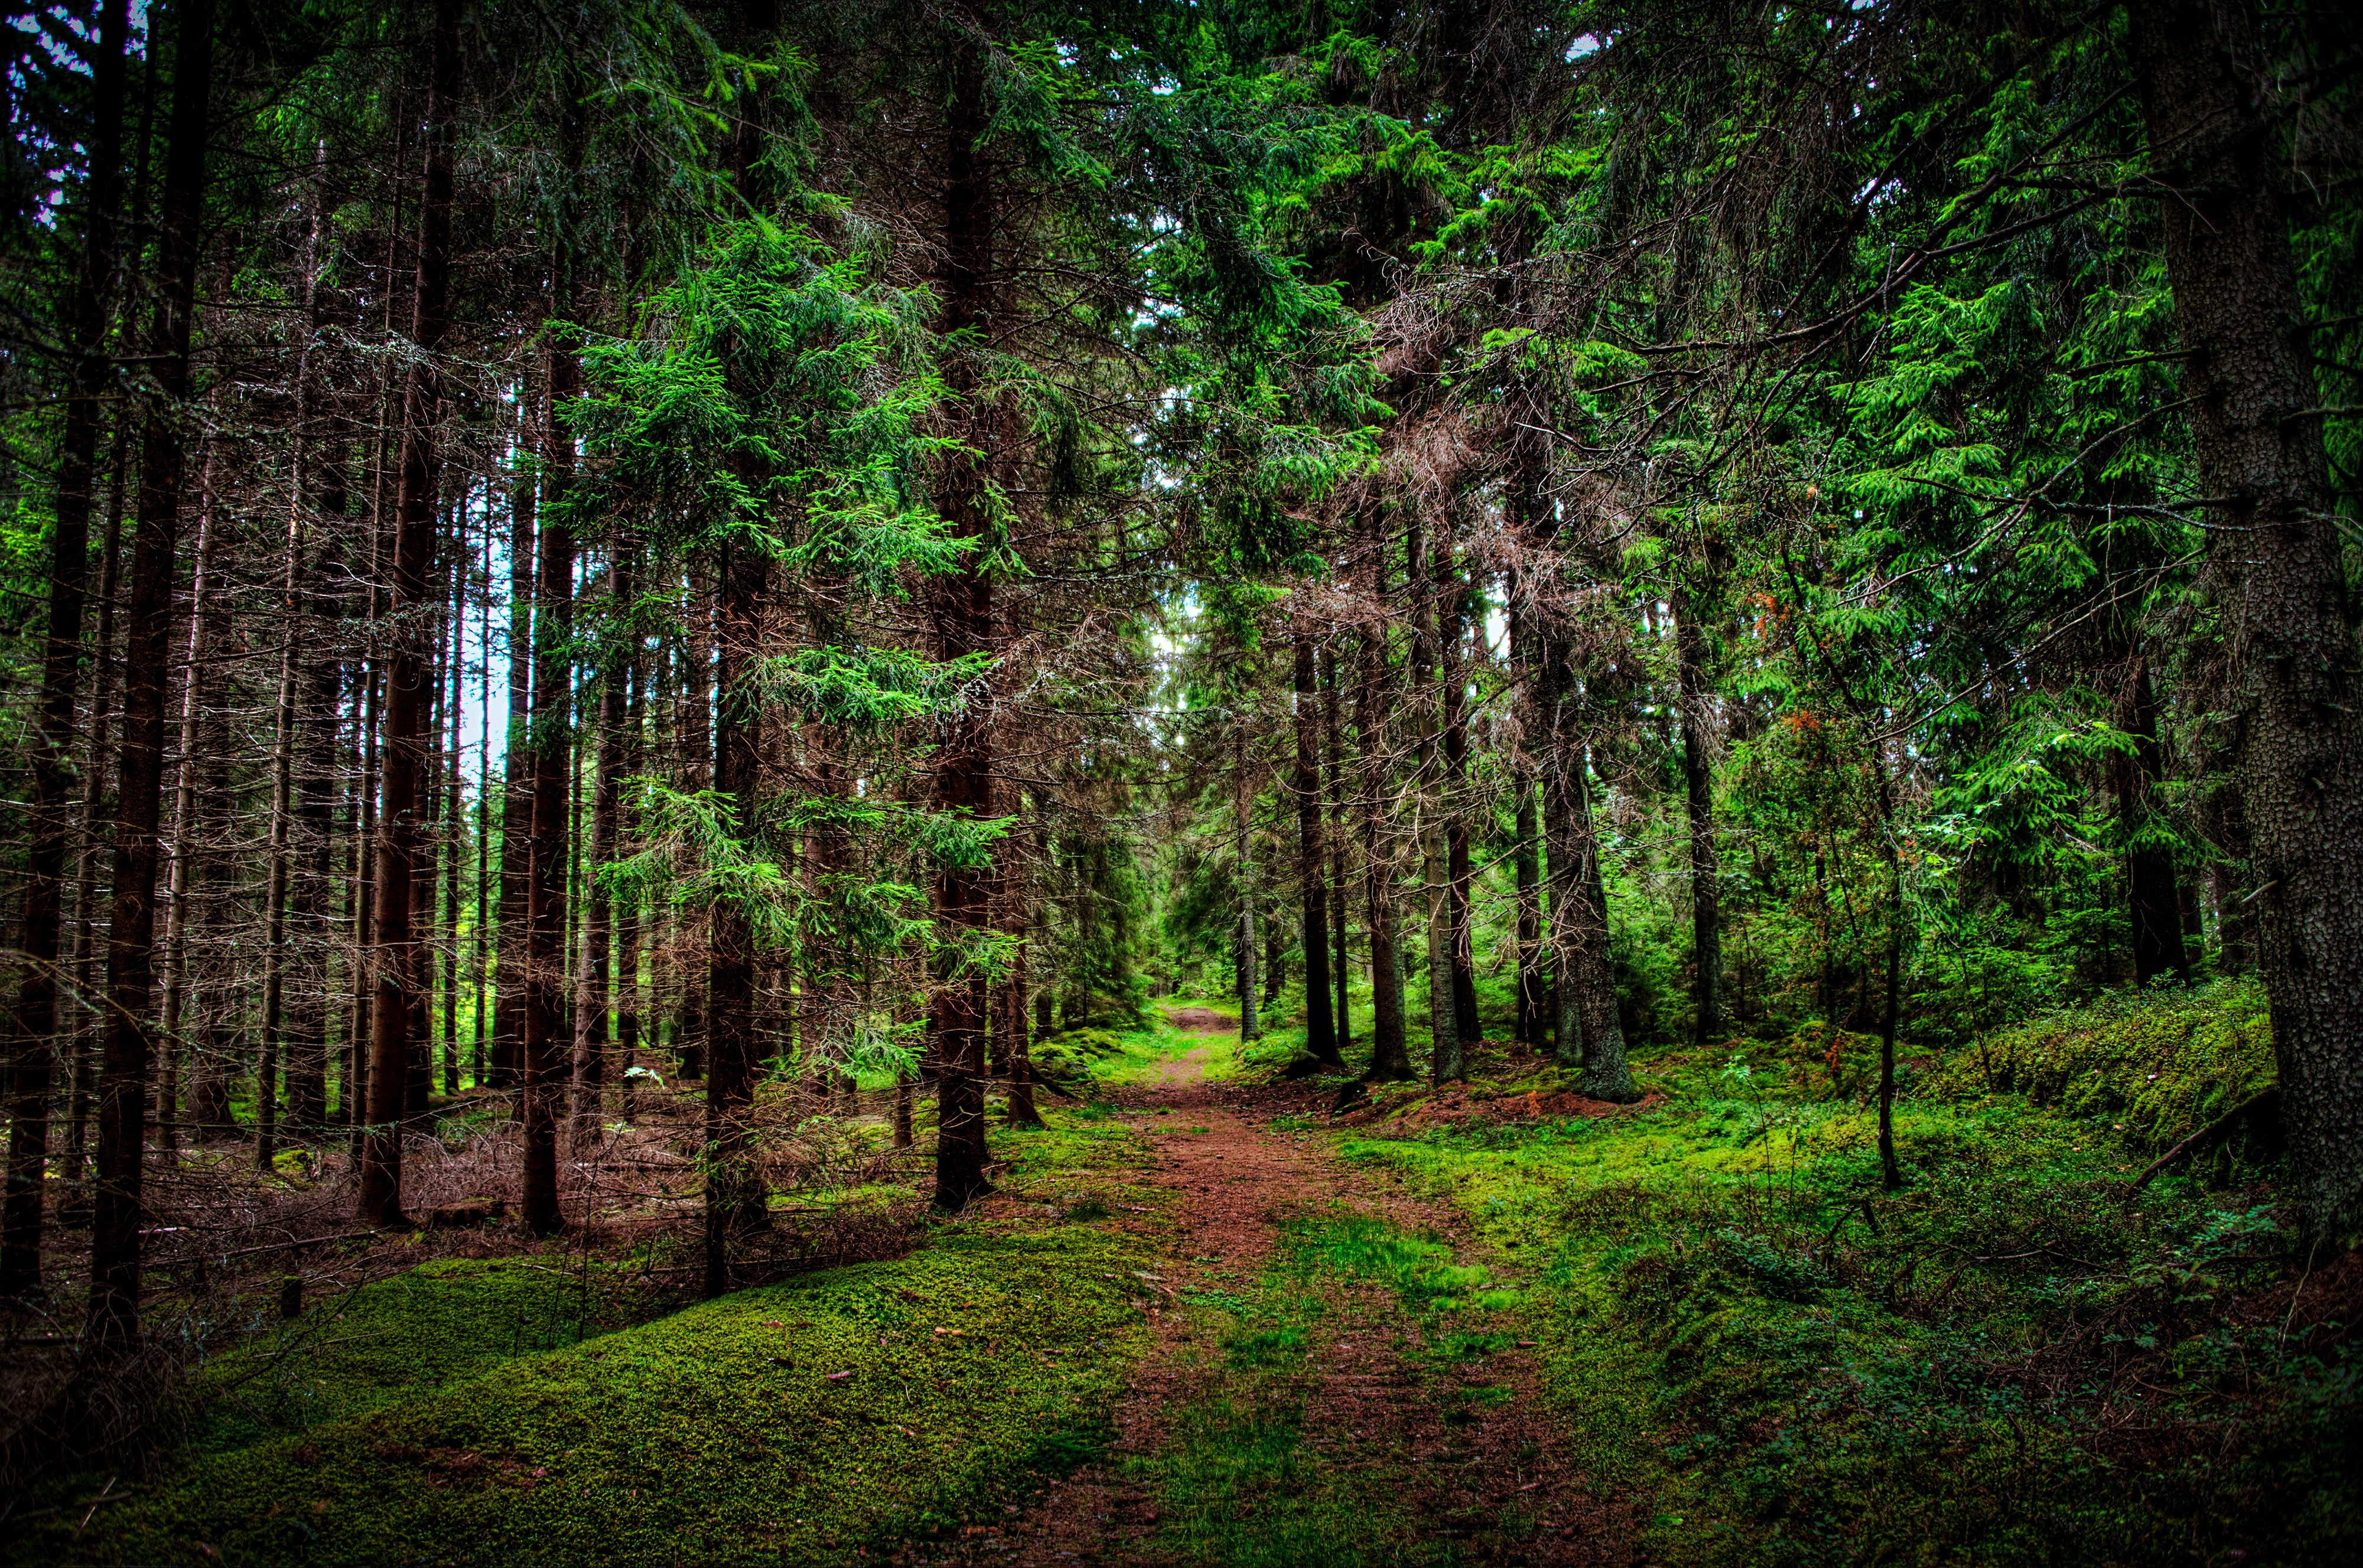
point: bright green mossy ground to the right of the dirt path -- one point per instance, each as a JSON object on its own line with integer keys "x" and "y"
{"x": 2007, "y": 1361}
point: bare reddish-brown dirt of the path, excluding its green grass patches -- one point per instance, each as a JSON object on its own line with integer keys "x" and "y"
{"x": 1459, "y": 1458}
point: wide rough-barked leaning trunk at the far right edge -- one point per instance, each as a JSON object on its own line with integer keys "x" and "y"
{"x": 2274, "y": 566}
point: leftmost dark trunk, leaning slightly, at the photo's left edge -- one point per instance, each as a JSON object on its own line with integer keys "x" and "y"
{"x": 60, "y": 674}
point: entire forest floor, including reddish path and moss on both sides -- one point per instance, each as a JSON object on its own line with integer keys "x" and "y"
{"x": 1213, "y": 1319}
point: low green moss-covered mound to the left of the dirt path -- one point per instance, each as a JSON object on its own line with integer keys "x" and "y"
{"x": 486, "y": 1413}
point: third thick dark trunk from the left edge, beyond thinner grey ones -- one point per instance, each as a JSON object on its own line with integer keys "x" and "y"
{"x": 401, "y": 965}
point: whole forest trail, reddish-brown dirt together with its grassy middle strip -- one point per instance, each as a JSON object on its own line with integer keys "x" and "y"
{"x": 1350, "y": 1430}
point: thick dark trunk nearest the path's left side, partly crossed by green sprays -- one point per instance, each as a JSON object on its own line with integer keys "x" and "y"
{"x": 961, "y": 622}
